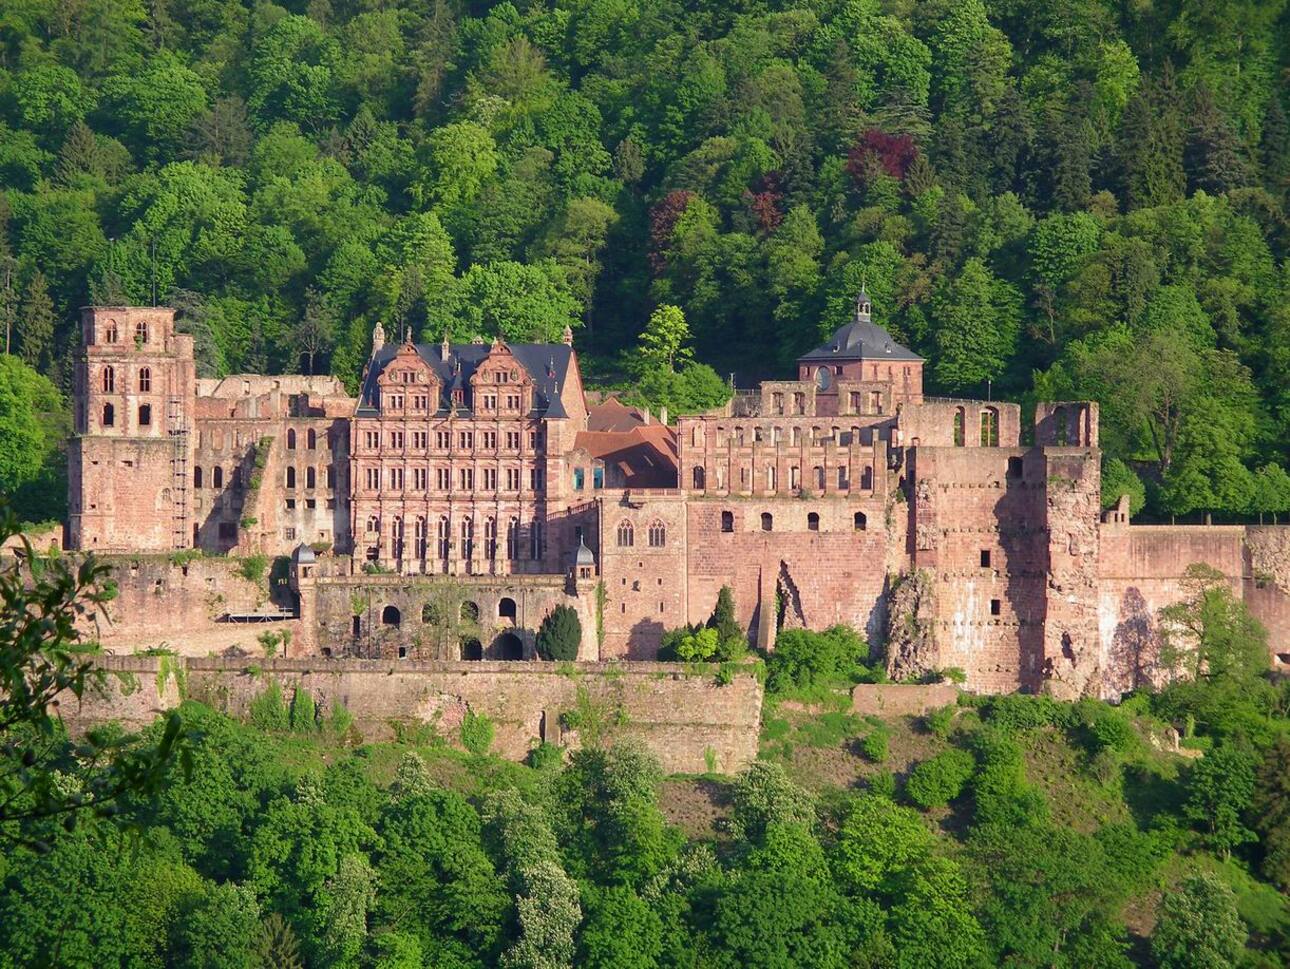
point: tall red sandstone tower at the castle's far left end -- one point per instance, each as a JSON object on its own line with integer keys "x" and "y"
{"x": 128, "y": 461}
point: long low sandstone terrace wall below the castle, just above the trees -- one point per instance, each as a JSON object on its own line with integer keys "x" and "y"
{"x": 686, "y": 719}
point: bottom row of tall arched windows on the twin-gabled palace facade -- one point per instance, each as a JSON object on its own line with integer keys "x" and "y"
{"x": 413, "y": 540}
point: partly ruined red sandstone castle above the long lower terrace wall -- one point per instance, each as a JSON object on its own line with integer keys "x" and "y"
{"x": 486, "y": 473}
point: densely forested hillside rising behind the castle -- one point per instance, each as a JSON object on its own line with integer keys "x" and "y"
{"x": 1078, "y": 199}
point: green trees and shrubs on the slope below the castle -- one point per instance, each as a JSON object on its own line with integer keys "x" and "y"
{"x": 1008, "y": 832}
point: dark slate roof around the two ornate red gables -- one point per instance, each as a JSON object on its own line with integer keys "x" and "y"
{"x": 546, "y": 363}
